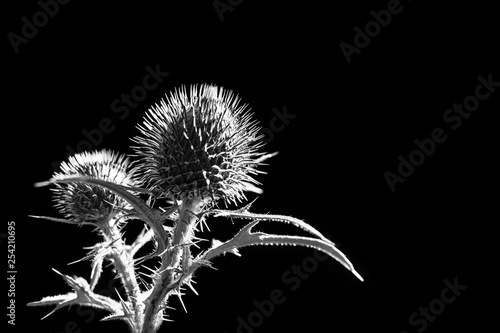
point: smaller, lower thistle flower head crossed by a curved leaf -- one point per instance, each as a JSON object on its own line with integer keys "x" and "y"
{"x": 83, "y": 202}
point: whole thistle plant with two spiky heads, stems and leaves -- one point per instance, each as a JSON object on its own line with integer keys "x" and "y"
{"x": 197, "y": 151}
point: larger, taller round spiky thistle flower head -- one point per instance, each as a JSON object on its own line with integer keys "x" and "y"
{"x": 200, "y": 143}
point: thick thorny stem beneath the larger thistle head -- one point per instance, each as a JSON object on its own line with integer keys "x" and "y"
{"x": 171, "y": 264}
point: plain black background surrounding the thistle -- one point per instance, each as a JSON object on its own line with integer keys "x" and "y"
{"x": 351, "y": 123}
